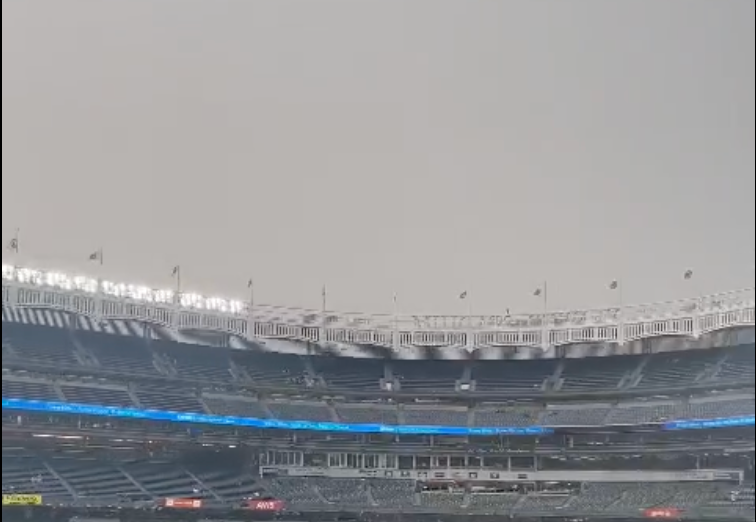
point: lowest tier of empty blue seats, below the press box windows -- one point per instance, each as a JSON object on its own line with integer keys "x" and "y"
{"x": 98, "y": 479}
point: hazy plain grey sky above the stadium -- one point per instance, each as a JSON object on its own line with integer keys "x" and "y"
{"x": 427, "y": 146}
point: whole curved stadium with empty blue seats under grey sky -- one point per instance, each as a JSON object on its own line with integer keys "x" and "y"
{"x": 127, "y": 403}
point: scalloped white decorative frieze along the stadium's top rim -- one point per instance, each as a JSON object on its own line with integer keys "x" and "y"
{"x": 99, "y": 302}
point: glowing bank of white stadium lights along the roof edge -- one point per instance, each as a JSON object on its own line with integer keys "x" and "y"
{"x": 88, "y": 285}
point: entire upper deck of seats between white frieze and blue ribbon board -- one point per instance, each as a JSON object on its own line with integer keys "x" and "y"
{"x": 123, "y": 371}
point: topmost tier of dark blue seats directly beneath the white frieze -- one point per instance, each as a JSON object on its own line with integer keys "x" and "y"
{"x": 132, "y": 355}
